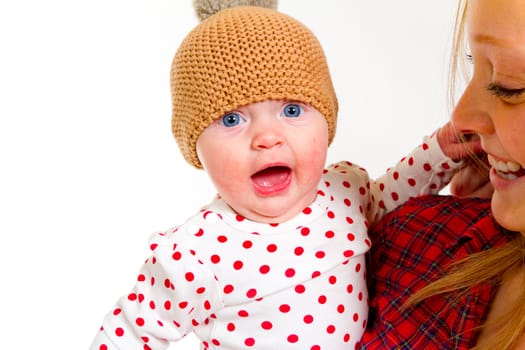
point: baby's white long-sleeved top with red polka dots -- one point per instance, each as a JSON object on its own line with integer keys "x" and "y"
{"x": 238, "y": 284}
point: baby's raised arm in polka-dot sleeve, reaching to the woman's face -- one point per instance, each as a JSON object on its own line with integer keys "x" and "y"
{"x": 426, "y": 170}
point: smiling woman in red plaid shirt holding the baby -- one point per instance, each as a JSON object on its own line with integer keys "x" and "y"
{"x": 472, "y": 249}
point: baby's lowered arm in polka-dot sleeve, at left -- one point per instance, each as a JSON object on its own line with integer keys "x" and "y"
{"x": 172, "y": 295}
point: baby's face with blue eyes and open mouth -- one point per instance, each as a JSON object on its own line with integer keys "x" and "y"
{"x": 266, "y": 159}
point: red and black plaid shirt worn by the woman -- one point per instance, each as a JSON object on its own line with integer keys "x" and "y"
{"x": 412, "y": 246}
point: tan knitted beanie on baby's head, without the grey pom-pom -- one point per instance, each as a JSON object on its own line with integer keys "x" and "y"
{"x": 243, "y": 55}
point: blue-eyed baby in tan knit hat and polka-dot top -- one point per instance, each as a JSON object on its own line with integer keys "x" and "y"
{"x": 276, "y": 261}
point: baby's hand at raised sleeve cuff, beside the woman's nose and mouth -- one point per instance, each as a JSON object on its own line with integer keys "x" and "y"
{"x": 457, "y": 146}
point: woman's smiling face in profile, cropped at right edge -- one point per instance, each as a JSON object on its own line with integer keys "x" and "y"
{"x": 493, "y": 104}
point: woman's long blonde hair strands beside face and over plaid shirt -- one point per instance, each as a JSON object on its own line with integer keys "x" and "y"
{"x": 488, "y": 266}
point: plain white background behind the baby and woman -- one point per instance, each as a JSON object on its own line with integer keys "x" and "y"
{"x": 88, "y": 166}
